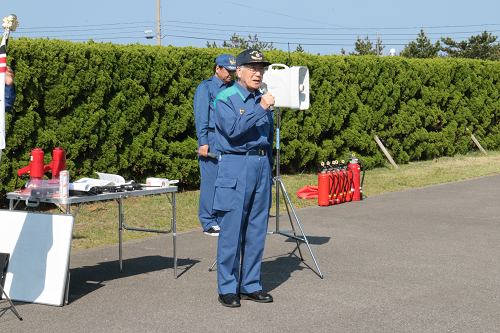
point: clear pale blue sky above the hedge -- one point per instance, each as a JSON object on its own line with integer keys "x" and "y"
{"x": 319, "y": 26}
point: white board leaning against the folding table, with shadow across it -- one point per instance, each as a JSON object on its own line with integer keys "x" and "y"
{"x": 39, "y": 245}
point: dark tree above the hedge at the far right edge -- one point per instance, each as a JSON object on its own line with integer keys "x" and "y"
{"x": 477, "y": 47}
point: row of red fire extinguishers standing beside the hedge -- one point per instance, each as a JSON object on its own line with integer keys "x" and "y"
{"x": 340, "y": 182}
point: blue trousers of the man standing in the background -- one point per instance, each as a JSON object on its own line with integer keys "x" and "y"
{"x": 208, "y": 171}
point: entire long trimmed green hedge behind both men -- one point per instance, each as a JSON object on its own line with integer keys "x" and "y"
{"x": 127, "y": 109}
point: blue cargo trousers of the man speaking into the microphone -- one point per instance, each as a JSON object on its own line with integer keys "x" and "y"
{"x": 242, "y": 200}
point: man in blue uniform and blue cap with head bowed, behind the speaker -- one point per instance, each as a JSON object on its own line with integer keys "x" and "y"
{"x": 225, "y": 67}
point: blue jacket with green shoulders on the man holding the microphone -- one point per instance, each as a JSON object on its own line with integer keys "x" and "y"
{"x": 241, "y": 122}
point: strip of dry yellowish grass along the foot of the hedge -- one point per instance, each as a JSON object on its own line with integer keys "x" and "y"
{"x": 97, "y": 223}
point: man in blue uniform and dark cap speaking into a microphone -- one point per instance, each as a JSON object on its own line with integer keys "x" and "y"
{"x": 244, "y": 131}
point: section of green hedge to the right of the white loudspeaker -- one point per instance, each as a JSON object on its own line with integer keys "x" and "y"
{"x": 419, "y": 109}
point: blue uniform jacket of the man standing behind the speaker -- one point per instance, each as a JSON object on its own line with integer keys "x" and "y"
{"x": 205, "y": 94}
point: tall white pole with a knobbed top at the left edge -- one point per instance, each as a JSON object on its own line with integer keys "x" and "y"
{"x": 9, "y": 24}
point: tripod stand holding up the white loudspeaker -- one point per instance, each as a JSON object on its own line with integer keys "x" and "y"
{"x": 286, "y": 199}
